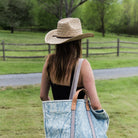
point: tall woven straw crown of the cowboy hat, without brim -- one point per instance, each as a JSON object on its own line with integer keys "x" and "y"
{"x": 69, "y": 27}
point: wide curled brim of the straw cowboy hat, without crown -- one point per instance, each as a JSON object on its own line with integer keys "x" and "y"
{"x": 50, "y": 37}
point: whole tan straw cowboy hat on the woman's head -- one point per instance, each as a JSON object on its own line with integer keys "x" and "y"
{"x": 68, "y": 29}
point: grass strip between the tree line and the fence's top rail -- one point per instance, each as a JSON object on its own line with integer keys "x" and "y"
{"x": 36, "y": 37}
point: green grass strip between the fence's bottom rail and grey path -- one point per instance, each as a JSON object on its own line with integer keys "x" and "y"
{"x": 97, "y": 62}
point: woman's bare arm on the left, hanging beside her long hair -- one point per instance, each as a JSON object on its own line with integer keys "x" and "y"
{"x": 45, "y": 84}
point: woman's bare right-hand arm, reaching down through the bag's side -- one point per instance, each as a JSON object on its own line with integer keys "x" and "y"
{"x": 89, "y": 84}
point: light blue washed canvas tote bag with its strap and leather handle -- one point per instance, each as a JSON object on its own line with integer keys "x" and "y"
{"x": 74, "y": 118}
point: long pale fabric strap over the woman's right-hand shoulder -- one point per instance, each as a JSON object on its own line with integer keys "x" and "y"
{"x": 75, "y": 78}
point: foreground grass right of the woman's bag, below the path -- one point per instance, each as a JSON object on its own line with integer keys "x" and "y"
{"x": 119, "y": 98}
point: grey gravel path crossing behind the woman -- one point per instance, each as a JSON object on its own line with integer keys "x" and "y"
{"x": 35, "y": 78}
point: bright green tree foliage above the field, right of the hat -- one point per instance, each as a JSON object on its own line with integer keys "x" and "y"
{"x": 119, "y": 16}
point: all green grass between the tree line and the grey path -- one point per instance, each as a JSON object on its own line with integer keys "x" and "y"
{"x": 11, "y": 66}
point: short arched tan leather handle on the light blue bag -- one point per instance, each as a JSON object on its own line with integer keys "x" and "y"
{"x": 75, "y": 97}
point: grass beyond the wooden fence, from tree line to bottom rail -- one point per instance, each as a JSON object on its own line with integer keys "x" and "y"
{"x": 30, "y": 37}
